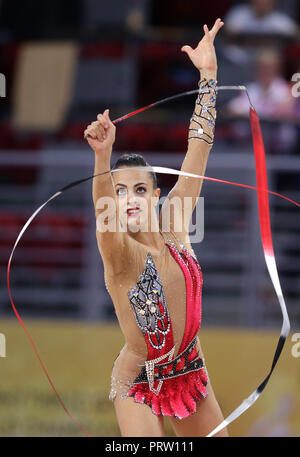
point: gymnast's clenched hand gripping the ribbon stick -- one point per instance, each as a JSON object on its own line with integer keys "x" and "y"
{"x": 101, "y": 134}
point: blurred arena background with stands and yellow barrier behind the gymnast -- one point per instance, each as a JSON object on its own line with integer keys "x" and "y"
{"x": 65, "y": 62}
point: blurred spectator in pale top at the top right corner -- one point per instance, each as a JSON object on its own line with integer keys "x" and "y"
{"x": 259, "y": 17}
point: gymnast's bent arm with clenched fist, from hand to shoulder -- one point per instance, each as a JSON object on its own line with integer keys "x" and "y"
{"x": 101, "y": 135}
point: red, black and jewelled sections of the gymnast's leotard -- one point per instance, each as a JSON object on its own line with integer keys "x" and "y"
{"x": 169, "y": 388}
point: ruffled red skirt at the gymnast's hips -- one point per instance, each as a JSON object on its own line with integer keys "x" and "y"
{"x": 177, "y": 397}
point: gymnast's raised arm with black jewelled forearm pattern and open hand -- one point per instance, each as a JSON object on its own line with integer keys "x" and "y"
{"x": 202, "y": 122}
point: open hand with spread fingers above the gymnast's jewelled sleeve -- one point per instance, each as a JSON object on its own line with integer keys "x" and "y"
{"x": 204, "y": 56}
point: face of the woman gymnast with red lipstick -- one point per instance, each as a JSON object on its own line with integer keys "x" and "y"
{"x": 136, "y": 198}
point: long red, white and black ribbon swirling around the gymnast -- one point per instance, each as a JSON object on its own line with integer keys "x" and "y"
{"x": 265, "y": 230}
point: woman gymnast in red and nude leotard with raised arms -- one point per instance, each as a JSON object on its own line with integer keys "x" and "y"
{"x": 153, "y": 276}
